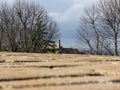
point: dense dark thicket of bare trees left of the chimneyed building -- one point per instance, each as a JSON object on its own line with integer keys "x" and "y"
{"x": 26, "y": 27}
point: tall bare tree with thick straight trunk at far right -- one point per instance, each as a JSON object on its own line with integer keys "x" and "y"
{"x": 109, "y": 12}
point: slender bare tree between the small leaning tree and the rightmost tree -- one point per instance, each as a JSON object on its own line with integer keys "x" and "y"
{"x": 89, "y": 26}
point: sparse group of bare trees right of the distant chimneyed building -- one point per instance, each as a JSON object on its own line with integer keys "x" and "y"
{"x": 99, "y": 28}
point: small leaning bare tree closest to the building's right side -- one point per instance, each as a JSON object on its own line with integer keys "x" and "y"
{"x": 84, "y": 34}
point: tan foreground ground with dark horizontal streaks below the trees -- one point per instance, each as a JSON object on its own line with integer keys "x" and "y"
{"x": 22, "y": 71}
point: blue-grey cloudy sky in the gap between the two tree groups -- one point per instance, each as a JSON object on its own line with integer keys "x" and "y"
{"x": 67, "y": 14}
